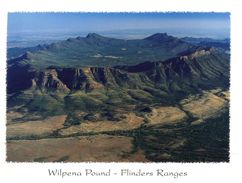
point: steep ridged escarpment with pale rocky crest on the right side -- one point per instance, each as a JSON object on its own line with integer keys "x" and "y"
{"x": 200, "y": 69}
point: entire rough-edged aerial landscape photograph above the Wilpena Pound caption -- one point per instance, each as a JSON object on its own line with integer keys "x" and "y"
{"x": 118, "y": 87}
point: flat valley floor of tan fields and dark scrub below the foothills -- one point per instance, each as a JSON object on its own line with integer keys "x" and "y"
{"x": 195, "y": 130}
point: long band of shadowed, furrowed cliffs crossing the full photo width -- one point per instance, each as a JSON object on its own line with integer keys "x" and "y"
{"x": 201, "y": 69}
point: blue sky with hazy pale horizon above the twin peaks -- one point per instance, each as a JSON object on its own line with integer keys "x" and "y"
{"x": 129, "y": 25}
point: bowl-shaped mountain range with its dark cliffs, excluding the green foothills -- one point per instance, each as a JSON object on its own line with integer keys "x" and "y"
{"x": 165, "y": 68}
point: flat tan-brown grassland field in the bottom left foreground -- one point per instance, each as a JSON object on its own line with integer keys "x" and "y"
{"x": 99, "y": 148}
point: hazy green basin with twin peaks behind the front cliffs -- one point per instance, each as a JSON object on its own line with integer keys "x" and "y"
{"x": 96, "y": 50}
